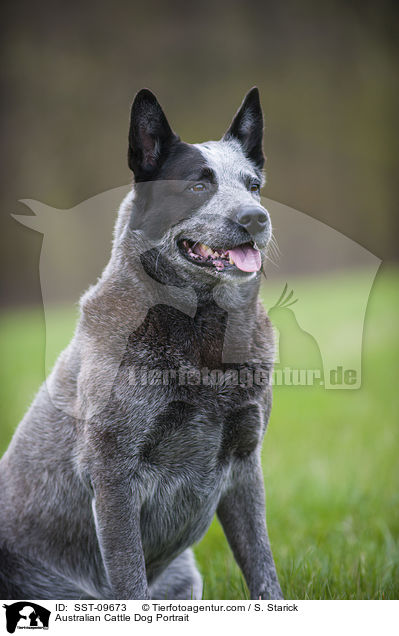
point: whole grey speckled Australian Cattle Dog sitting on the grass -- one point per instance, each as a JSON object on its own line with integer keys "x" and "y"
{"x": 142, "y": 431}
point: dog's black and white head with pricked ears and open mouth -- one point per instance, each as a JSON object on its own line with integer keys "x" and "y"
{"x": 199, "y": 204}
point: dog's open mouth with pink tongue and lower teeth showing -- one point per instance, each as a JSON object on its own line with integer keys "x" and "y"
{"x": 244, "y": 257}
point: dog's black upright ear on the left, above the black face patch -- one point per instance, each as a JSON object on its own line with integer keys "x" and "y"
{"x": 150, "y": 136}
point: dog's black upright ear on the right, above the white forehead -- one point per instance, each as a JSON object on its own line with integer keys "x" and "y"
{"x": 247, "y": 127}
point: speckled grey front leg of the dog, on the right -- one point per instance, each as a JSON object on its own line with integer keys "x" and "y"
{"x": 241, "y": 511}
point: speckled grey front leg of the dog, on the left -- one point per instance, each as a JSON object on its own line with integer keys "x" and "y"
{"x": 117, "y": 518}
